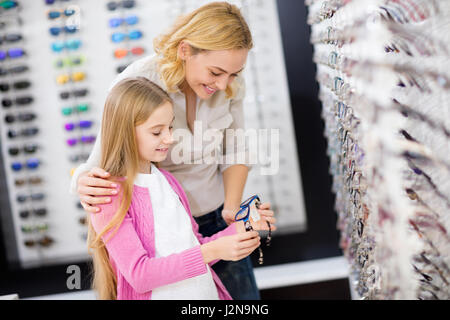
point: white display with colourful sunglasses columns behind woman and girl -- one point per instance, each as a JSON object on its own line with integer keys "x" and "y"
{"x": 57, "y": 61}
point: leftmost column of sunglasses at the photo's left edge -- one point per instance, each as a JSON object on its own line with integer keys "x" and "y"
{"x": 19, "y": 131}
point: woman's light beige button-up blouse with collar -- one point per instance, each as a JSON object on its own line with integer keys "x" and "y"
{"x": 201, "y": 181}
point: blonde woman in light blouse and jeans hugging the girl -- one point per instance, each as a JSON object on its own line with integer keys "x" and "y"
{"x": 199, "y": 63}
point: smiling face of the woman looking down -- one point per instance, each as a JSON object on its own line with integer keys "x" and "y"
{"x": 209, "y": 71}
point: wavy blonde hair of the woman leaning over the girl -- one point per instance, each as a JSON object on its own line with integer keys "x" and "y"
{"x": 214, "y": 26}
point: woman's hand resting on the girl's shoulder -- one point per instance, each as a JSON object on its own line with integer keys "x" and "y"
{"x": 93, "y": 184}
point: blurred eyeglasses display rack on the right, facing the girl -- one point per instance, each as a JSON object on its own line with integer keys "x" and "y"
{"x": 384, "y": 76}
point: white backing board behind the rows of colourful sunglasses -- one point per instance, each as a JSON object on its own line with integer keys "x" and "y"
{"x": 267, "y": 105}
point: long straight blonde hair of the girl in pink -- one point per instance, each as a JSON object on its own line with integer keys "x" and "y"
{"x": 129, "y": 104}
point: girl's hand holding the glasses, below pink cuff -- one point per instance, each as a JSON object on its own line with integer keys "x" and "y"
{"x": 231, "y": 248}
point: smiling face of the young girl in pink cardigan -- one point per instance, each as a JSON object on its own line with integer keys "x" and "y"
{"x": 154, "y": 136}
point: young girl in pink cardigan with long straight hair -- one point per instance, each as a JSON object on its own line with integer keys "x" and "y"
{"x": 145, "y": 243}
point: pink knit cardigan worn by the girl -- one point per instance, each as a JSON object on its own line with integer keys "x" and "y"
{"x": 132, "y": 248}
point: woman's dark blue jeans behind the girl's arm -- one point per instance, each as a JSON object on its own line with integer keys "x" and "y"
{"x": 237, "y": 276}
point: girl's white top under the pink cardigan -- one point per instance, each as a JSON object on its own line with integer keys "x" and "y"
{"x": 173, "y": 234}
